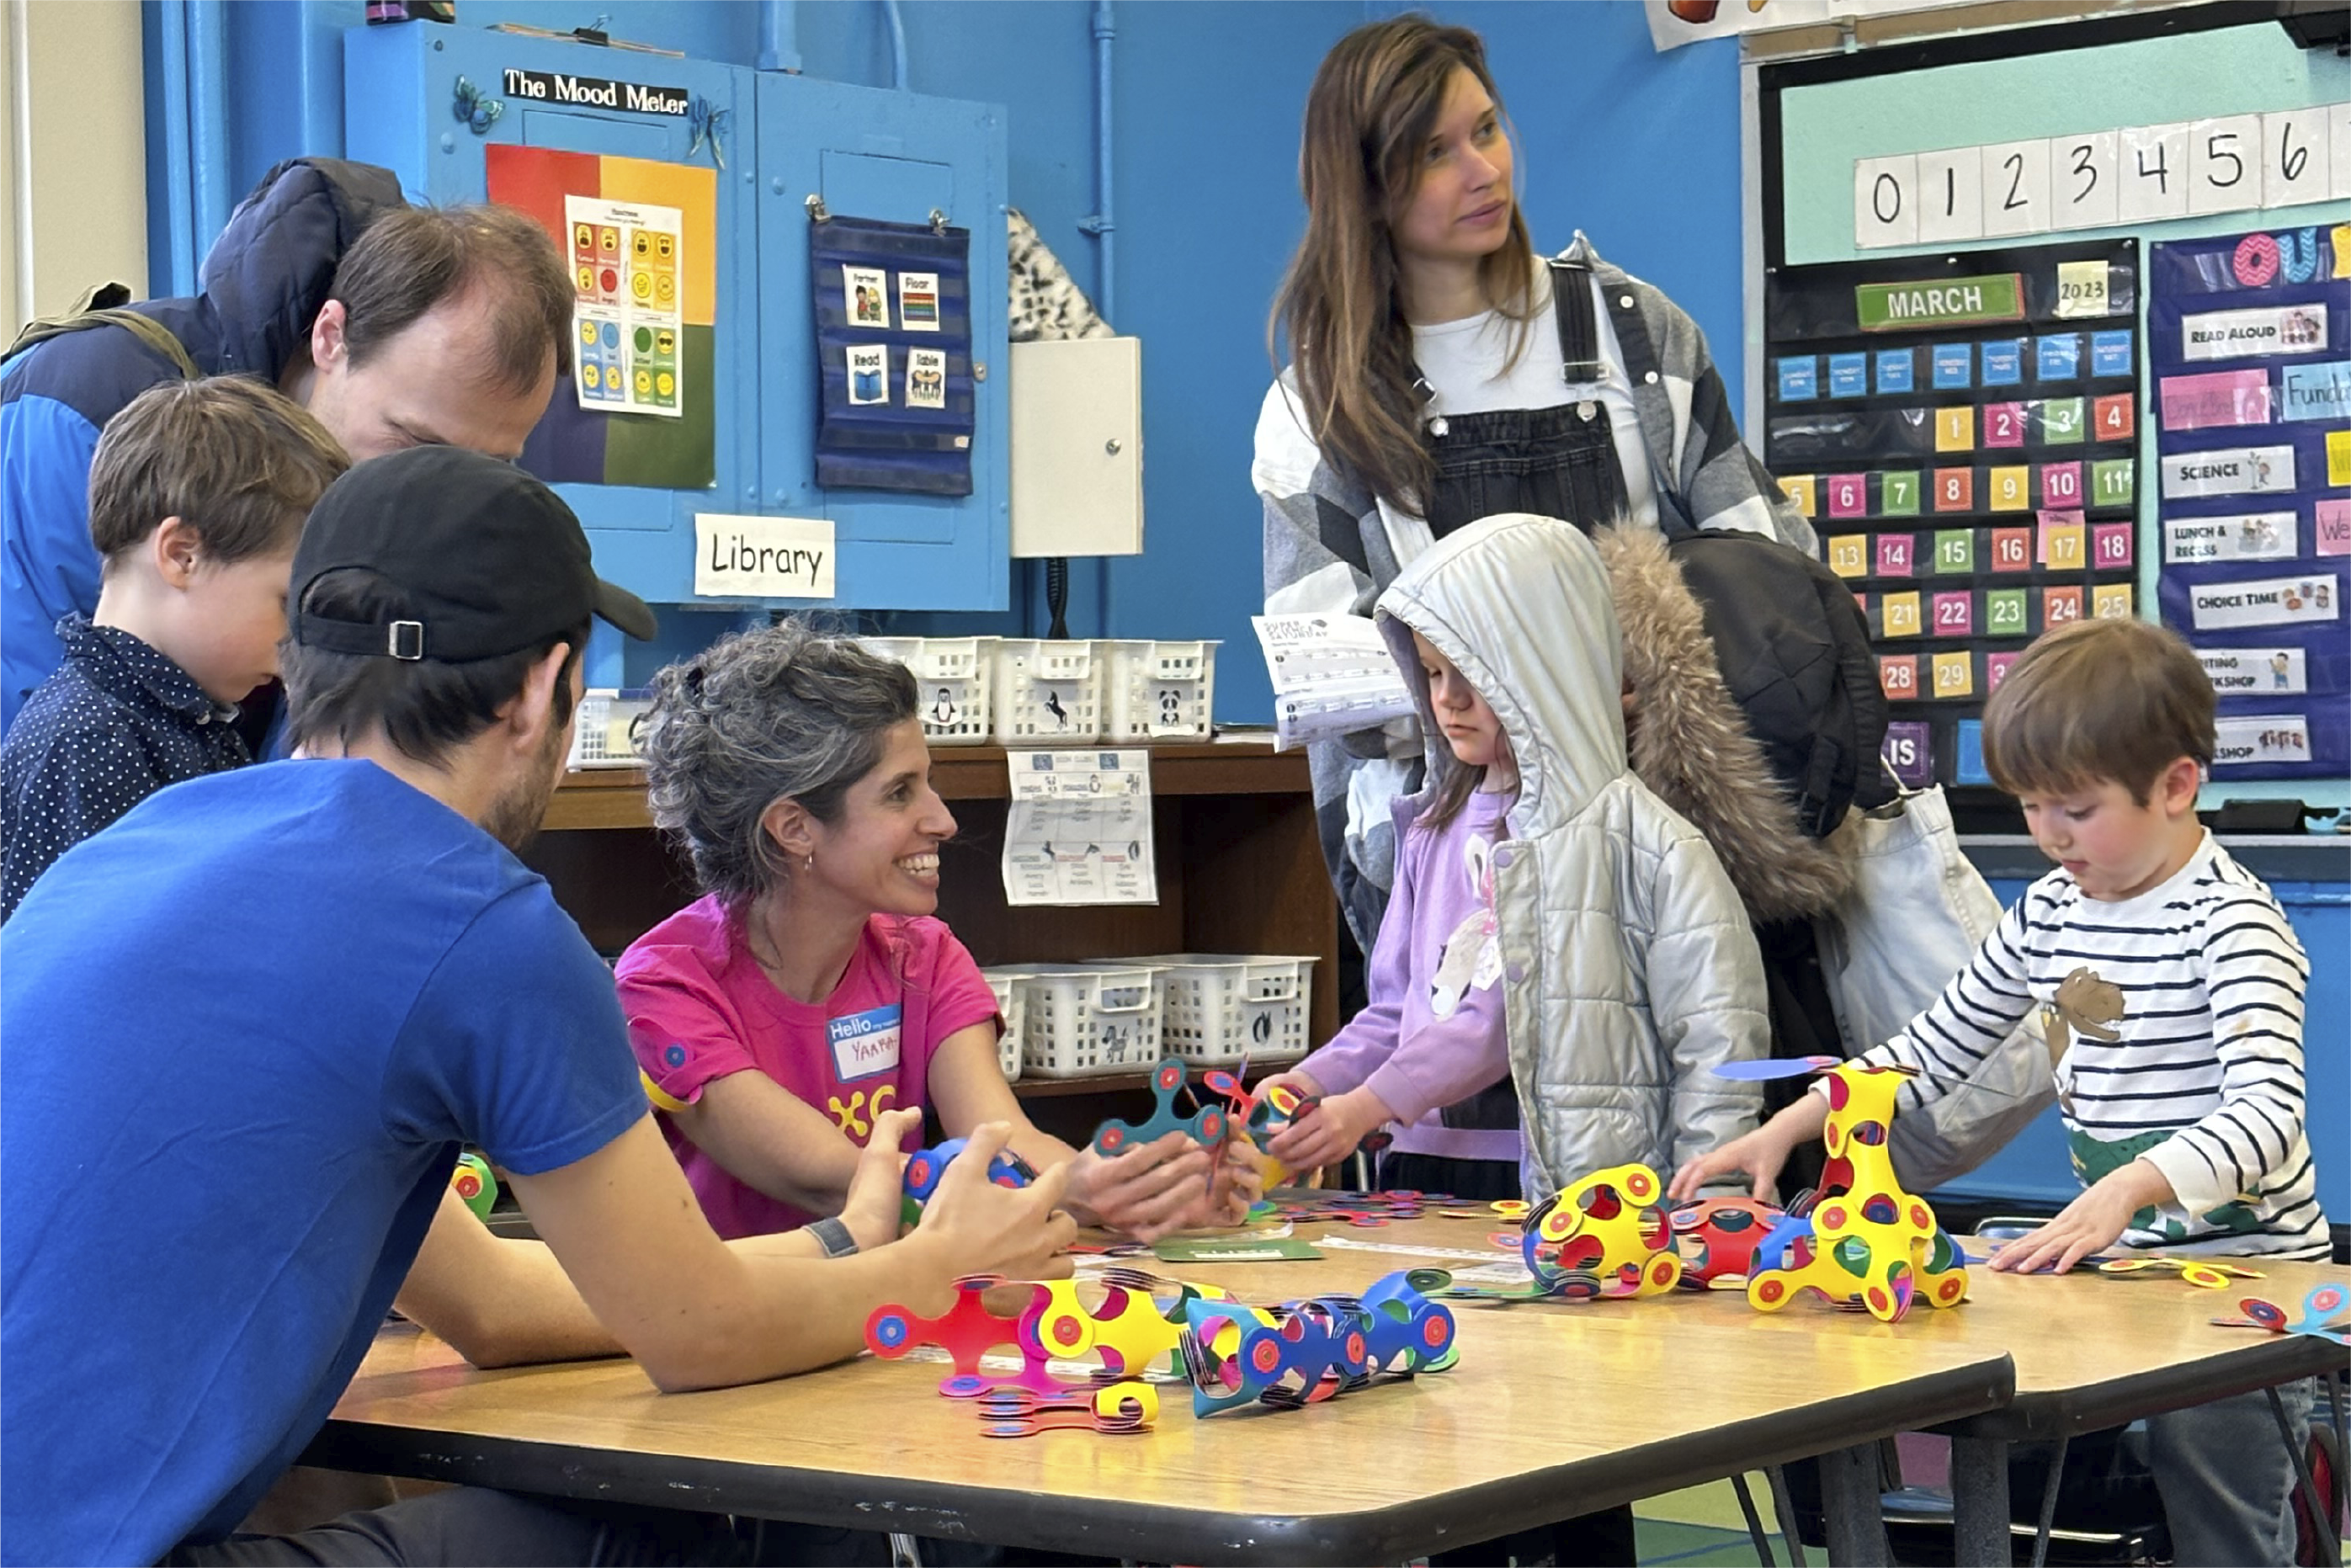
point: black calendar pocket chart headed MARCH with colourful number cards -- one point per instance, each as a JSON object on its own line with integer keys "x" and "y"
{"x": 1964, "y": 436}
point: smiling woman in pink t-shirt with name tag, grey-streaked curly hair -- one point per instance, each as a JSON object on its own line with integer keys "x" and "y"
{"x": 812, "y": 989}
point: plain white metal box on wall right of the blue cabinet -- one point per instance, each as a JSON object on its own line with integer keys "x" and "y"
{"x": 1078, "y": 448}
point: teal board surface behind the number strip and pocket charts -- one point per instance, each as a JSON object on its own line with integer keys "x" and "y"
{"x": 1818, "y": 119}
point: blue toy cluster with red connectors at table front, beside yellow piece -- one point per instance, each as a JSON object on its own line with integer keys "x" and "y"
{"x": 1311, "y": 1351}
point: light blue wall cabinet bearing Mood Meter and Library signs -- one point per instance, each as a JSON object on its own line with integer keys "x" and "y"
{"x": 871, "y": 154}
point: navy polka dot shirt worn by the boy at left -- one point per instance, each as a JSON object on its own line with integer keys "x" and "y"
{"x": 107, "y": 730}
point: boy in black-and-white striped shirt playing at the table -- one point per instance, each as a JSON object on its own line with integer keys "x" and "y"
{"x": 2171, "y": 986}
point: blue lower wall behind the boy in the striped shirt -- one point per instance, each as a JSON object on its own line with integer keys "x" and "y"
{"x": 2035, "y": 1167}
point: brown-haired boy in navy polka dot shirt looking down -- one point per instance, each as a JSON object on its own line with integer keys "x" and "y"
{"x": 196, "y": 500}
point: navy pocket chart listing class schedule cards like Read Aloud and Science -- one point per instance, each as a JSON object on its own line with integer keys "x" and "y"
{"x": 2249, "y": 347}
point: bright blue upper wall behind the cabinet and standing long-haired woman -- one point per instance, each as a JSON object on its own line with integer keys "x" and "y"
{"x": 1207, "y": 107}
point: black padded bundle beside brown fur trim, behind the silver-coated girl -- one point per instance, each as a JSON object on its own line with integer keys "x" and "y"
{"x": 1795, "y": 650}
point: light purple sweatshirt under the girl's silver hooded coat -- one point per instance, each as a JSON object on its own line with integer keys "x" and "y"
{"x": 1433, "y": 1031}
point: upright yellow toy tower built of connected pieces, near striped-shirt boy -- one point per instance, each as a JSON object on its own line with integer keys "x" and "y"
{"x": 1873, "y": 1242}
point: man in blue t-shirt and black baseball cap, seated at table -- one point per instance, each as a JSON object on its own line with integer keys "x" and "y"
{"x": 217, "y": 1188}
